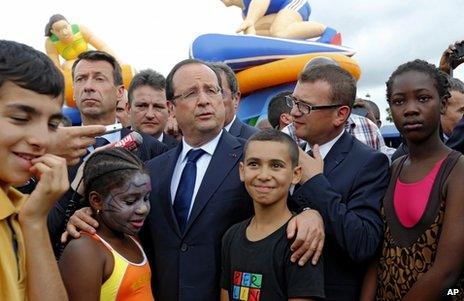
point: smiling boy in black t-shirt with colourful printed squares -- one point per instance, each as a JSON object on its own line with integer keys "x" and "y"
{"x": 256, "y": 253}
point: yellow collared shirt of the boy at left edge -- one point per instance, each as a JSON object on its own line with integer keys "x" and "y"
{"x": 12, "y": 255}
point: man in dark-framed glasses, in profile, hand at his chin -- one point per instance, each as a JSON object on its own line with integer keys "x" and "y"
{"x": 343, "y": 179}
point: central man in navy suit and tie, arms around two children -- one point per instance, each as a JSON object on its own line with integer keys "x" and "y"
{"x": 182, "y": 234}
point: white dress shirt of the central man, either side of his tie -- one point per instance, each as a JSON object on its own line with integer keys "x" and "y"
{"x": 202, "y": 165}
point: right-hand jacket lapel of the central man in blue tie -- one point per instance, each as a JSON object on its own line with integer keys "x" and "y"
{"x": 227, "y": 154}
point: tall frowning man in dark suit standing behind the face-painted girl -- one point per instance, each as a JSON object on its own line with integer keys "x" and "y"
{"x": 97, "y": 83}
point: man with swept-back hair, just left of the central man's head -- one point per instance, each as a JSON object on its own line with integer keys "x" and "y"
{"x": 147, "y": 106}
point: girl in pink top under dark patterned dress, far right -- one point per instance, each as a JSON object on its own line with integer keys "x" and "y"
{"x": 422, "y": 255}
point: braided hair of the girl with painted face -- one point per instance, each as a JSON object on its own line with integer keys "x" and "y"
{"x": 109, "y": 168}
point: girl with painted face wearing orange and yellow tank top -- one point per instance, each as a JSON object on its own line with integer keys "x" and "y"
{"x": 111, "y": 265}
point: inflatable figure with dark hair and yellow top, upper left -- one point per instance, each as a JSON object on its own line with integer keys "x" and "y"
{"x": 69, "y": 40}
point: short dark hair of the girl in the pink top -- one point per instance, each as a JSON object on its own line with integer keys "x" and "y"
{"x": 440, "y": 80}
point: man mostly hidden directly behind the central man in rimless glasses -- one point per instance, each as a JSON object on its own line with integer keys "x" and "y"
{"x": 231, "y": 99}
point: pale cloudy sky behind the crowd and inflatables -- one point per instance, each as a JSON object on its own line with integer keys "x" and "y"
{"x": 158, "y": 34}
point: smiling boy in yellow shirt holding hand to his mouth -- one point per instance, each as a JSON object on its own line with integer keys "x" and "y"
{"x": 31, "y": 96}
